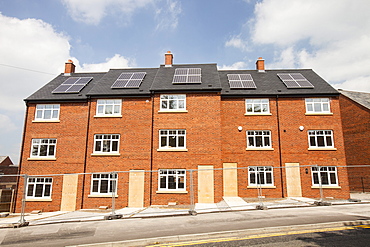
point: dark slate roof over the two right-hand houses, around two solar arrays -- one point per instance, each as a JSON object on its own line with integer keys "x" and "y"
{"x": 268, "y": 83}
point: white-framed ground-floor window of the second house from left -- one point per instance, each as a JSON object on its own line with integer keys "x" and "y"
{"x": 104, "y": 183}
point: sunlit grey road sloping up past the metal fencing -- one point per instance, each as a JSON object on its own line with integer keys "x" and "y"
{"x": 224, "y": 224}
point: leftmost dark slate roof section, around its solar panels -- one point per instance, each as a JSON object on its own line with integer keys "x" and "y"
{"x": 45, "y": 93}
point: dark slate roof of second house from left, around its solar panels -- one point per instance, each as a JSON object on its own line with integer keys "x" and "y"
{"x": 103, "y": 88}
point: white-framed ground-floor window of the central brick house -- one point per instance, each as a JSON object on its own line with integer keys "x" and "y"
{"x": 172, "y": 179}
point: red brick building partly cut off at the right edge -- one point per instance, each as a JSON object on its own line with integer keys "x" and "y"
{"x": 355, "y": 112}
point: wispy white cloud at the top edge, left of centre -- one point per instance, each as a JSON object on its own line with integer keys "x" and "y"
{"x": 93, "y": 11}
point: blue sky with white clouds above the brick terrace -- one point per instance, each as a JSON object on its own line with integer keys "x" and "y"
{"x": 37, "y": 37}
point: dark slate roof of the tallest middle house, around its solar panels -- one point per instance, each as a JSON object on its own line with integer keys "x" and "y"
{"x": 210, "y": 79}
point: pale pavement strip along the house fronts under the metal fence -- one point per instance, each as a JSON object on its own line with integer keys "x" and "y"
{"x": 227, "y": 204}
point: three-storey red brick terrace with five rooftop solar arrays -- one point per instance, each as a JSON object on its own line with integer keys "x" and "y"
{"x": 196, "y": 128}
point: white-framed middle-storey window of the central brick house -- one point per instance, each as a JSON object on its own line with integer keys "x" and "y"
{"x": 172, "y": 138}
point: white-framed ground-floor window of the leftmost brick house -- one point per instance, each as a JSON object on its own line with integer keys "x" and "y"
{"x": 39, "y": 187}
